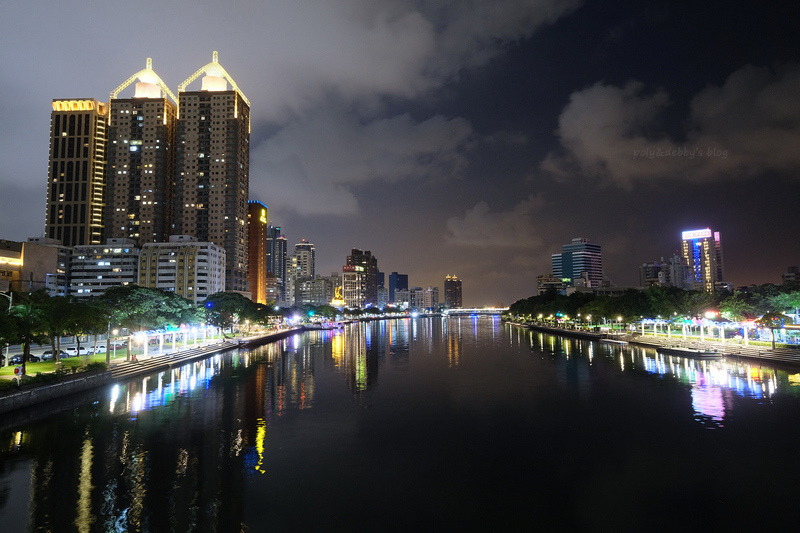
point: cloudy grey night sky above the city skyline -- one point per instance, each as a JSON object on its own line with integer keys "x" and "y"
{"x": 455, "y": 136}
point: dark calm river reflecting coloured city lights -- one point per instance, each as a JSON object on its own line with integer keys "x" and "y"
{"x": 423, "y": 424}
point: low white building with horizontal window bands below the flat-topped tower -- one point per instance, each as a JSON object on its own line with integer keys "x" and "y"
{"x": 96, "y": 268}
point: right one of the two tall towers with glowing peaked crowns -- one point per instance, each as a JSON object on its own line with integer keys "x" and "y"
{"x": 212, "y": 179}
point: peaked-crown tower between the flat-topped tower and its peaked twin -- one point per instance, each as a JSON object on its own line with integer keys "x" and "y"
{"x": 141, "y": 160}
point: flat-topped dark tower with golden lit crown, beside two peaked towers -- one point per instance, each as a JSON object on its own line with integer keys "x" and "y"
{"x": 75, "y": 179}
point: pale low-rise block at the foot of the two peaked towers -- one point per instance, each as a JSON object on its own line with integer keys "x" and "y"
{"x": 191, "y": 269}
